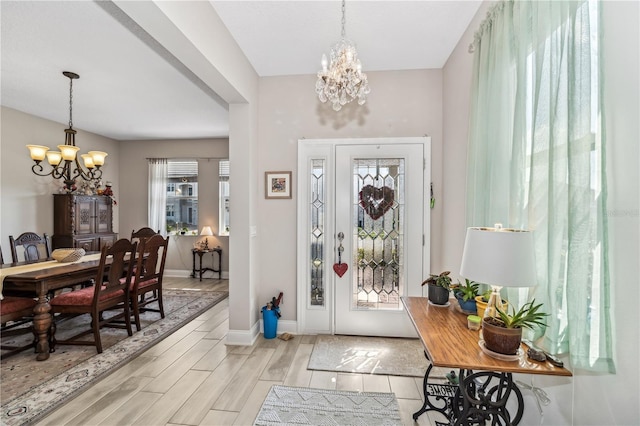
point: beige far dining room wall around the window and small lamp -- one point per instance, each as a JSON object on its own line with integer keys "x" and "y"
{"x": 133, "y": 195}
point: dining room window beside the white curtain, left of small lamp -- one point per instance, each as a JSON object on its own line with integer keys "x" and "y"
{"x": 182, "y": 197}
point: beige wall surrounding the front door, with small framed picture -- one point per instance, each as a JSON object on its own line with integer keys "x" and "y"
{"x": 406, "y": 103}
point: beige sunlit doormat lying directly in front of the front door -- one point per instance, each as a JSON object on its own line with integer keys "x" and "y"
{"x": 370, "y": 355}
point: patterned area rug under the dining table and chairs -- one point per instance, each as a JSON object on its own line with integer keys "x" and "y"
{"x": 31, "y": 389}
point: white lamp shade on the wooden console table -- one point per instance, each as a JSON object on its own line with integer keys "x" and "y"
{"x": 499, "y": 257}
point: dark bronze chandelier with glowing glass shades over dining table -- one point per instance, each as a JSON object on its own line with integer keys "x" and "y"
{"x": 64, "y": 163}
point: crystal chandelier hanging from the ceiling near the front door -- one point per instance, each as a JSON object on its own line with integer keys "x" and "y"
{"x": 343, "y": 80}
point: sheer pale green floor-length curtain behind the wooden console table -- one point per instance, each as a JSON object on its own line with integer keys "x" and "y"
{"x": 536, "y": 161}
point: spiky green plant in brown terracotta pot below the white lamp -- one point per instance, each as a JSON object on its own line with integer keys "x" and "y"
{"x": 502, "y": 334}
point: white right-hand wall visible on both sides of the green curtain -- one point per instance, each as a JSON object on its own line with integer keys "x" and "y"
{"x": 587, "y": 398}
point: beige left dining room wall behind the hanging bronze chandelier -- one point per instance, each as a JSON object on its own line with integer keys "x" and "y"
{"x": 26, "y": 203}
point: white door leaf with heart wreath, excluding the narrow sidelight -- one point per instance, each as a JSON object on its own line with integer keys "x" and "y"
{"x": 379, "y": 194}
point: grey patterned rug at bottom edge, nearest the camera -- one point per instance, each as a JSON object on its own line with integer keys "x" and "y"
{"x": 307, "y": 406}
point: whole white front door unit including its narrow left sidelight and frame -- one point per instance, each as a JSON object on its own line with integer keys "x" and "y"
{"x": 371, "y": 192}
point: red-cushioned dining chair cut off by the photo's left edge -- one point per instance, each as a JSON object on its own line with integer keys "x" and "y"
{"x": 15, "y": 312}
